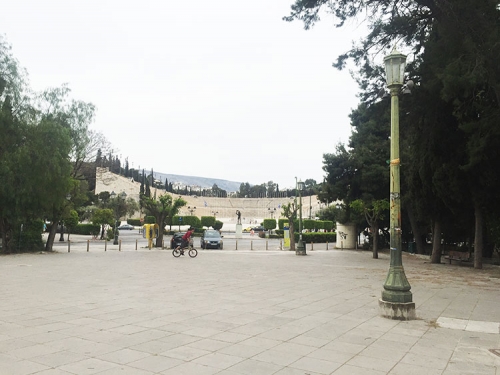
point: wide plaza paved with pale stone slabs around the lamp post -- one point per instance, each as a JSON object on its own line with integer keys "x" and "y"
{"x": 236, "y": 312}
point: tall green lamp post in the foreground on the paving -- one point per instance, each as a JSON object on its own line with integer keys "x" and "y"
{"x": 396, "y": 301}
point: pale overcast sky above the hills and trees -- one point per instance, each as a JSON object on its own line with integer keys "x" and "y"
{"x": 211, "y": 88}
